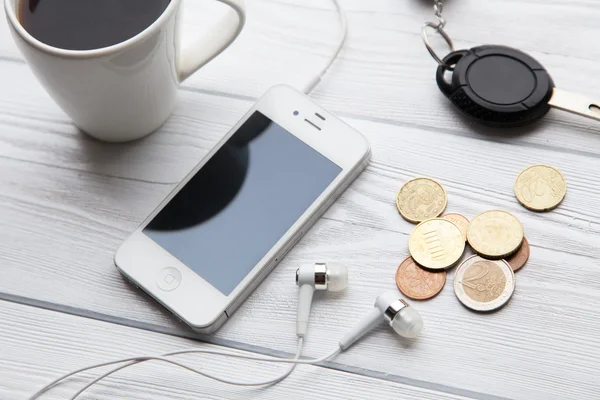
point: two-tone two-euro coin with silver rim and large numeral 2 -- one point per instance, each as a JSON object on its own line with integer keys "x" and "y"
{"x": 484, "y": 285}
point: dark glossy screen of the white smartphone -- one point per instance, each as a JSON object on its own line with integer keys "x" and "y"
{"x": 241, "y": 202}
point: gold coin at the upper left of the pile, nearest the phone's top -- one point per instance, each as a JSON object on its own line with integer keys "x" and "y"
{"x": 421, "y": 199}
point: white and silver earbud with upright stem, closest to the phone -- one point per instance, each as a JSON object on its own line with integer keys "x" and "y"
{"x": 319, "y": 276}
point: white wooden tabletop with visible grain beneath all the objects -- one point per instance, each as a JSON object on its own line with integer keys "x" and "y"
{"x": 67, "y": 202}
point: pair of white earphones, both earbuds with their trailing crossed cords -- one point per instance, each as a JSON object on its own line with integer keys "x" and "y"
{"x": 405, "y": 321}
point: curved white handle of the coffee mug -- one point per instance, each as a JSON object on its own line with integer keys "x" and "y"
{"x": 210, "y": 46}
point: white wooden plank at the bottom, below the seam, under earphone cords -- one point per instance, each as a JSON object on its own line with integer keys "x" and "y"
{"x": 39, "y": 345}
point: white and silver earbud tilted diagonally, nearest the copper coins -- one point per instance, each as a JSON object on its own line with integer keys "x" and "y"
{"x": 403, "y": 319}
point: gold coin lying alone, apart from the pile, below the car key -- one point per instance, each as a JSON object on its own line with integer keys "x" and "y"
{"x": 540, "y": 188}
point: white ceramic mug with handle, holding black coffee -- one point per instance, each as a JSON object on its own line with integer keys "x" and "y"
{"x": 125, "y": 91}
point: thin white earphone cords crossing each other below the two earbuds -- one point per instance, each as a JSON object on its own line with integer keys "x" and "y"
{"x": 134, "y": 360}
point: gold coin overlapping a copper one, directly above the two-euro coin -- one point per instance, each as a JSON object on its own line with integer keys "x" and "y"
{"x": 495, "y": 234}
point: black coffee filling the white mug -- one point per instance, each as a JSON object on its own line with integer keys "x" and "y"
{"x": 88, "y": 24}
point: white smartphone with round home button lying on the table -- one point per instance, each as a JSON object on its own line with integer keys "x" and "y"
{"x": 237, "y": 213}
